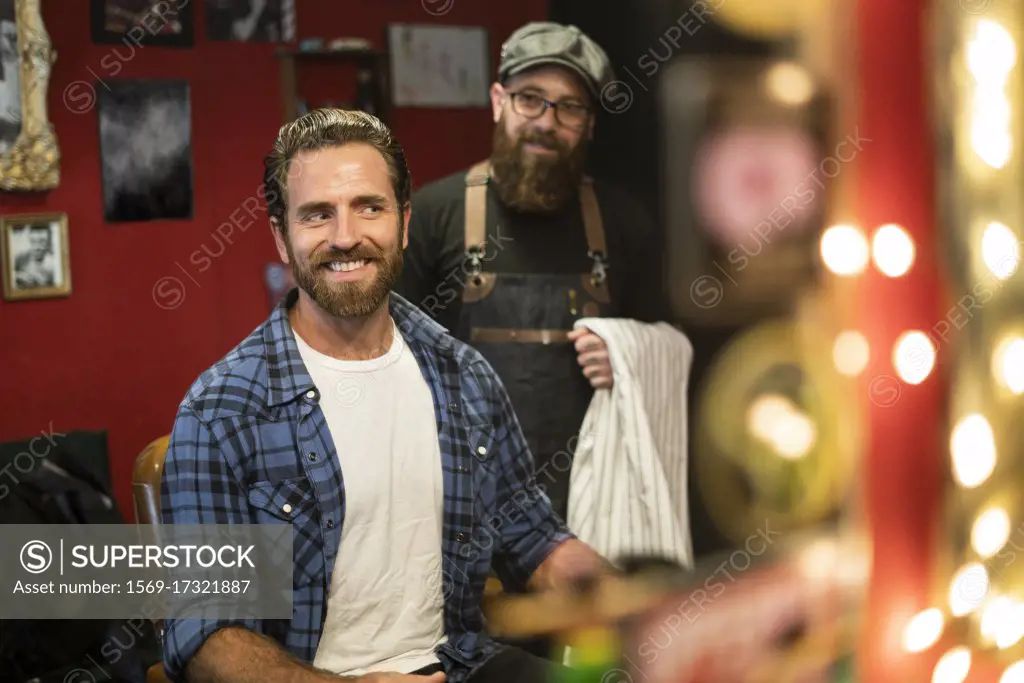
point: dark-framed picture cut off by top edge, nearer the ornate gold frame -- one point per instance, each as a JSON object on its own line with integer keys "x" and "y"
{"x": 144, "y": 23}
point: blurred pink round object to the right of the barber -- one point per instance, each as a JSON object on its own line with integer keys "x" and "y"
{"x": 754, "y": 185}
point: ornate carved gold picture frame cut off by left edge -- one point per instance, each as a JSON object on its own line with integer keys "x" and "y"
{"x": 30, "y": 158}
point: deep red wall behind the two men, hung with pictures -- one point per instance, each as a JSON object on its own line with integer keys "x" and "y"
{"x": 108, "y": 357}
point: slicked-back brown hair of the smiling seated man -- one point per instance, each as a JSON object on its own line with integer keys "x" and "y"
{"x": 322, "y": 130}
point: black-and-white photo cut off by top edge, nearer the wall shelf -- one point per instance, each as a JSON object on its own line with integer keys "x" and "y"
{"x": 251, "y": 21}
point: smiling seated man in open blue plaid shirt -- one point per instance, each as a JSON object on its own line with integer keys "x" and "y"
{"x": 389, "y": 446}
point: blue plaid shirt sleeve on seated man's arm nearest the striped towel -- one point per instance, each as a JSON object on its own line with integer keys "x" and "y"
{"x": 530, "y": 529}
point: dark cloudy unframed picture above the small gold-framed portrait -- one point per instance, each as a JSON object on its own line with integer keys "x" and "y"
{"x": 146, "y": 150}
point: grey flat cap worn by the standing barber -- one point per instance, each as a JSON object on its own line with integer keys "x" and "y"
{"x": 542, "y": 44}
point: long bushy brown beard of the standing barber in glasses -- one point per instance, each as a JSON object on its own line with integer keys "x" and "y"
{"x": 532, "y": 183}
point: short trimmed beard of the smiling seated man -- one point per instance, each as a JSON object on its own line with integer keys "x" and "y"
{"x": 356, "y": 300}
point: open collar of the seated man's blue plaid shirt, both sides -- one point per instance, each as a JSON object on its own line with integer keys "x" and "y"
{"x": 287, "y": 374}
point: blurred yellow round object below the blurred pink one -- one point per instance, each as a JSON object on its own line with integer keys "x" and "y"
{"x": 775, "y": 435}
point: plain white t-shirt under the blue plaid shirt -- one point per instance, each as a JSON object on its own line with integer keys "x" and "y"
{"x": 386, "y": 608}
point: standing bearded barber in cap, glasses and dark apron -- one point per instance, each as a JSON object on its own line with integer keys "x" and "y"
{"x": 511, "y": 253}
